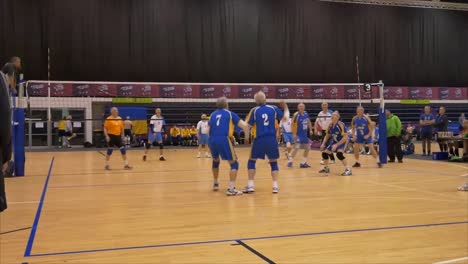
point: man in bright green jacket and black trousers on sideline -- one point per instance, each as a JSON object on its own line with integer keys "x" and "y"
{"x": 393, "y": 137}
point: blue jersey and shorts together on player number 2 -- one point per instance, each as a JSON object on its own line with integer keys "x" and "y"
{"x": 263, "y": 120}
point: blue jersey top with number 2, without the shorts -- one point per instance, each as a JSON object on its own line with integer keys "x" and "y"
{"x": 263, "y": 120}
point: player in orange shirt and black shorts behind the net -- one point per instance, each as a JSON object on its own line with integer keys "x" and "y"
{"x": 114, "y": 133}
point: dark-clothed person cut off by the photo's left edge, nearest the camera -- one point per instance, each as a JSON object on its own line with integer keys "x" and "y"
{"x": 5, "y": 136}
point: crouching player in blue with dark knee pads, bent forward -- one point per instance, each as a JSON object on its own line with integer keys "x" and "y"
{"x": 335, "y": 141}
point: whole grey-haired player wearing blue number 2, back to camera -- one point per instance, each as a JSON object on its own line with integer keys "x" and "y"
{"x": 263, "y": 121}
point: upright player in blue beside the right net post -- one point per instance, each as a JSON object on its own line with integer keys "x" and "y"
{"x": 362, "y": 129}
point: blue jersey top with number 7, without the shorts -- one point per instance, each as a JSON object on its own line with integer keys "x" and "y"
{"x": 222, "y": 123}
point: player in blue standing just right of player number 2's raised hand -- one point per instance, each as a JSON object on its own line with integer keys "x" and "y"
{"x": 301, "y": 128}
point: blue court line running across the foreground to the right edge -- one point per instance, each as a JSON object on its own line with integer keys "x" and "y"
{"x": 245, "y": 239}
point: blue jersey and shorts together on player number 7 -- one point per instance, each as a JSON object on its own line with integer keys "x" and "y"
{"x": 222, "y": 123}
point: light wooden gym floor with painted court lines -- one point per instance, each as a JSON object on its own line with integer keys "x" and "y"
{"x": 165, "y": 212}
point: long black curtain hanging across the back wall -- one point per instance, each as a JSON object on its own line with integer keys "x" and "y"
{"x": 235, "y": 41}
